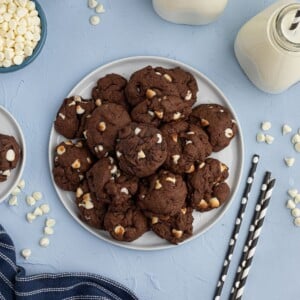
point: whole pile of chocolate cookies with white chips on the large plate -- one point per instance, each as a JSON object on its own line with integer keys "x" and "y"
{"x": 138, "y": 154}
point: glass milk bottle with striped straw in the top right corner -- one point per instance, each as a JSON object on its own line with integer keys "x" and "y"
{"x": 268, "y": 47}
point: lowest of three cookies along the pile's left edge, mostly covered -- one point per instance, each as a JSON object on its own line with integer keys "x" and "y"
{"x": 91, "y": 211}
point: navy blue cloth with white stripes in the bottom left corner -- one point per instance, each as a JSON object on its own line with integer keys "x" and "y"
{"x": 14, "y": 284}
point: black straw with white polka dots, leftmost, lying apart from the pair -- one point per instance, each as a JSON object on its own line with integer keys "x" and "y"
{"x": 237, "y": 226}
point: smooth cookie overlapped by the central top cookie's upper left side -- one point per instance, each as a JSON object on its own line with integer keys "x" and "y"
{"x": 102, "y": 128}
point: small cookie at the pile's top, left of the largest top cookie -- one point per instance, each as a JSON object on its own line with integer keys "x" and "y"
{"x": 110, "y": 89}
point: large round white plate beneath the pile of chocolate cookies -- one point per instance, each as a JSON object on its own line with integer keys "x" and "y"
{"x": 208, "y": 93}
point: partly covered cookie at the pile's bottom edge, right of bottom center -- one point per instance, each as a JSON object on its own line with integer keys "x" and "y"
{"x": 174, "y": 229}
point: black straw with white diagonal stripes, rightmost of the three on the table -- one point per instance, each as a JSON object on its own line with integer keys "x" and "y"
{"x": 254, "y": 241}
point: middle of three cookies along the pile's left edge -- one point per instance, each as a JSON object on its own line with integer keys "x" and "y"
{"x": 71, "y": 162}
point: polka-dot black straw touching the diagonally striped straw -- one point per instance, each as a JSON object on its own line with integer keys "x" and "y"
{"x": 261, "y": 199}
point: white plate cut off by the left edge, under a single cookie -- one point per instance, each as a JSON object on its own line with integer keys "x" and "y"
{"x": 9, "y": 126}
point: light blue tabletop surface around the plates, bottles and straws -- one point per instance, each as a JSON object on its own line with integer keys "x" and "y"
{"x": 73, "y": 49}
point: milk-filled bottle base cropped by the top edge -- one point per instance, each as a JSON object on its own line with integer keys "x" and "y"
{"x": 191, "y": 12}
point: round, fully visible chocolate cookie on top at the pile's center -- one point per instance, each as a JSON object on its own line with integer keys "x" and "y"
{"x": 140, "y": 149}
